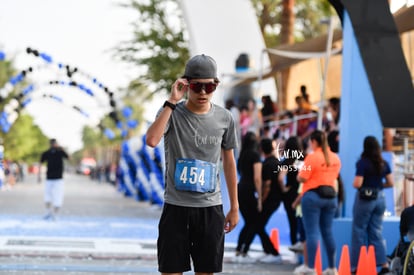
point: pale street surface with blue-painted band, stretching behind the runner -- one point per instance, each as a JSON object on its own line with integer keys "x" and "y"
{"x": 98, "y": 232}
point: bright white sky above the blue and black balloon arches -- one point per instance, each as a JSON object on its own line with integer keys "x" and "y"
{"x": 79, "y": 33}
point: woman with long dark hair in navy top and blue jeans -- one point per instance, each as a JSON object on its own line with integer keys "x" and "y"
{"x": 369, "y": 205}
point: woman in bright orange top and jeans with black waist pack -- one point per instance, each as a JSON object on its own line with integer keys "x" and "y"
{"x": 318, "y": 174}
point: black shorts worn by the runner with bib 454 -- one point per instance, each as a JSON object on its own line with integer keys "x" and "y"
{"x": 196, "y": 232}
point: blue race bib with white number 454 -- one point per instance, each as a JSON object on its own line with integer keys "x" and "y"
{"x": 195, "y": 175}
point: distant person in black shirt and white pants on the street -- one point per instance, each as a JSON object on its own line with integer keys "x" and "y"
{"x": 54, "y": 184}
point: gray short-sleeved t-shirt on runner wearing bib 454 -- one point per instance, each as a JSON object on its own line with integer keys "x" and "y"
{"x": 193, "y": 146}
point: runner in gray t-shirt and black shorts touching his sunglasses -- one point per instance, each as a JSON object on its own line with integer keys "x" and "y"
{"x": 197, "y": 134}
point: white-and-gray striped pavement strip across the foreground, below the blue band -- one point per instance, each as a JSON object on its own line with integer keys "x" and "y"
{"x": 31, "y": 255}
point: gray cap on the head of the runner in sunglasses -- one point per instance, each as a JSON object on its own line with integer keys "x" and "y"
{"x": 201, "y": 66}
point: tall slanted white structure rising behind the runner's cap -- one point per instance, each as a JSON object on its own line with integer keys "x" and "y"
{"x": 224, "y": 29}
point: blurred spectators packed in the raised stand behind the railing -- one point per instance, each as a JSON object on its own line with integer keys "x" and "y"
{"x": 267, "y": 121}
